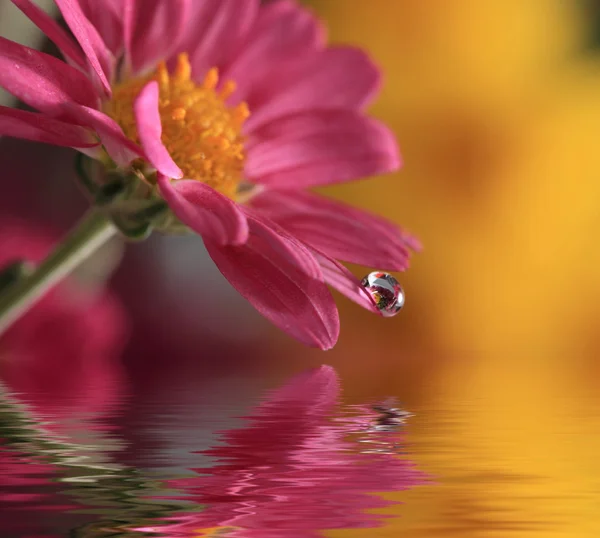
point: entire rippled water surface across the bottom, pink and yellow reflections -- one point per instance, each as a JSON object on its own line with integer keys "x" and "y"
{"x": 244, "y": 457}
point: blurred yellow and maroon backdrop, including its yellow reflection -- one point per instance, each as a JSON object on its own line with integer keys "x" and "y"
{"x": 497, "y": 108}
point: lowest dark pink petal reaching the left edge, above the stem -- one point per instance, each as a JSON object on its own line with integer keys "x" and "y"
{"x": 40, "y": 128}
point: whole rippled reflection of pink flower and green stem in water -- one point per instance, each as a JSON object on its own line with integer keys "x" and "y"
{"x": 301, "y": 464}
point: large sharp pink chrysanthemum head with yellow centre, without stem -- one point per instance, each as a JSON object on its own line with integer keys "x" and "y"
{"x": 228, "y": 110}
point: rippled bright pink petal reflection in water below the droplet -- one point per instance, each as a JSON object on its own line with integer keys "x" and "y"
{"x": 294, "y": 469}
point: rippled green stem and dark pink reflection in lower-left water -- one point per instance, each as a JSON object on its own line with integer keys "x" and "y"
{"x": 59, "y": 488}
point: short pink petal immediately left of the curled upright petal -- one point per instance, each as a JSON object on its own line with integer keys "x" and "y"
{"x": 117, "y": 145}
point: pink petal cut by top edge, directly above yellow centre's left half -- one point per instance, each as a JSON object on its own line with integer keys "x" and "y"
{"x": 155, "y": 31}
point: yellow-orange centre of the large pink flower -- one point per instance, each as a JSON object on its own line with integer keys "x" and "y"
{"x": 201, "y": 133}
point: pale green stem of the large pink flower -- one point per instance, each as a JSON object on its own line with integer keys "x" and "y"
{"x": 90, "y": 234}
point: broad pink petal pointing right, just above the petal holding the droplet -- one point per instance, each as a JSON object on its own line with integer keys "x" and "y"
{"x": 338, "y": 230}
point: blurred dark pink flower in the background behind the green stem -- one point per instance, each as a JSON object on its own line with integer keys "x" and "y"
{"x": 63, "y": 353}
